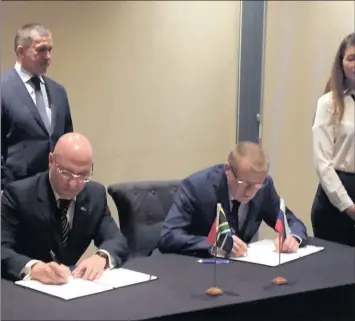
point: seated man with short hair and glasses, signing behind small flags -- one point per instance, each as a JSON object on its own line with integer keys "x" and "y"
{"x": 247, "y": 195}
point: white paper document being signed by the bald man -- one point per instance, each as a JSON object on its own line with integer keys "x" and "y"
{"x": 75, "y": 288}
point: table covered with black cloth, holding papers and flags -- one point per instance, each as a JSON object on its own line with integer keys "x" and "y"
{"x": 321, "y": 286}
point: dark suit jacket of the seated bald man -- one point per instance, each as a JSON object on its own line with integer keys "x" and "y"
{"x": 30, "y": 226}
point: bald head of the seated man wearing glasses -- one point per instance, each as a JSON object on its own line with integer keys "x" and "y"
{"x": 71, "y": 165}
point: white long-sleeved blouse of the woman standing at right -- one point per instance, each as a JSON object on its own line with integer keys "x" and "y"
{"x": 334, "y": 148}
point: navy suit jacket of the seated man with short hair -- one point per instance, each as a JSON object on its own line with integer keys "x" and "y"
{"x": 192, "y": 214}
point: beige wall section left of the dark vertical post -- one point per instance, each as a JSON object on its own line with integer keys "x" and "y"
{"x": 152, "y": 84}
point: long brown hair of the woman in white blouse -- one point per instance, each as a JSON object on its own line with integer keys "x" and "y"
{"x": 337, "y": 82}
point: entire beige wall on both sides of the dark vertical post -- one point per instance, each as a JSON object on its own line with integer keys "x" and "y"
{"x": 153, "y": 84}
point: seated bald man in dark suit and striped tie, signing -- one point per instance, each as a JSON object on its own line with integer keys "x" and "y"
{"x": 49, "y": 220}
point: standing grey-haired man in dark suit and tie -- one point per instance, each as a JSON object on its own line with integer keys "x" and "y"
{"x": 34, "y": 109}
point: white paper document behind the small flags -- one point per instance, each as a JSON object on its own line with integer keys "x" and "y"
{"x": 263, "y": 252}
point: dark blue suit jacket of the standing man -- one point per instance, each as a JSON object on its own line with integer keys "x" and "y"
{"x": 25, "y": 141}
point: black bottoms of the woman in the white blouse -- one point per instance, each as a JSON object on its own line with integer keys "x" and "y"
{"x": 327, "y": 221}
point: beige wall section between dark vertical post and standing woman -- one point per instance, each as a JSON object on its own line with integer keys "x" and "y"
{"x": 301, "y": 40}
